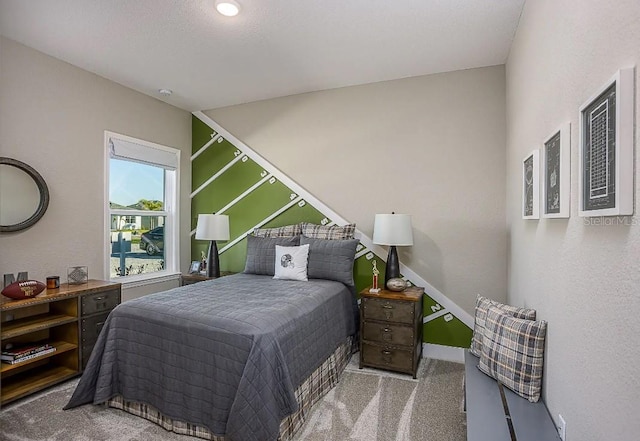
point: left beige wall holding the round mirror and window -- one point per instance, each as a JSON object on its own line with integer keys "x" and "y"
{"x": 53, "y": 116}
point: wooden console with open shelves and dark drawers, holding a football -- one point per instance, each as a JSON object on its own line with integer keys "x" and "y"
{"x": 68, "y": 318}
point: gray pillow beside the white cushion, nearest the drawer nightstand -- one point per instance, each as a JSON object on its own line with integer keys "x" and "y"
{"x": 331, "y": 259}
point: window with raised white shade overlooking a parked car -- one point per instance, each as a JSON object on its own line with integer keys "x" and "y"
{"x": 142, "y": 208}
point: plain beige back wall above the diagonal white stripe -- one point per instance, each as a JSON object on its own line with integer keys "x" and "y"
{"x": 430, "y": 146}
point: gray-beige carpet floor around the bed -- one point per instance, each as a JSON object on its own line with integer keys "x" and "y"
{"x": 367, "y": 404}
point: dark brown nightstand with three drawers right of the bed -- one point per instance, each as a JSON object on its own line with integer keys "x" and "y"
{"x": 391, "y": 329}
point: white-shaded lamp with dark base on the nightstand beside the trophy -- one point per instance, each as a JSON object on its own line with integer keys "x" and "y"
{"x": 393, "y": 230}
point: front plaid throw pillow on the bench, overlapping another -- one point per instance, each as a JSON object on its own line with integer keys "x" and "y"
{"x": 513, "y": 352}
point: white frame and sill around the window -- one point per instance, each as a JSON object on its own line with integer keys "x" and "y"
{"x": 171, "y": 213}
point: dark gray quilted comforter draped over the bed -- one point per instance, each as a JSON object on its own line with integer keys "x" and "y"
{"x": 226, "y": 354}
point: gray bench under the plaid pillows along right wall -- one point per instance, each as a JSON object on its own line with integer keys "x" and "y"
{"x": 495, "y": 413}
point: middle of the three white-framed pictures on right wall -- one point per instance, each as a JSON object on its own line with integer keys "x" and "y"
{"x": 556, "y": 172}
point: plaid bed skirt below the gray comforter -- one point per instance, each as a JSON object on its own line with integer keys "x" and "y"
{"x": 321, "y": 381}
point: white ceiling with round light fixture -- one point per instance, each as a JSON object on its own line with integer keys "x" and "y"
{"x": 272, "y": 48}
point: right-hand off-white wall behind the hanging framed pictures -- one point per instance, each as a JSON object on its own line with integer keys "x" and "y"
{"x": 583, "y": 279}
